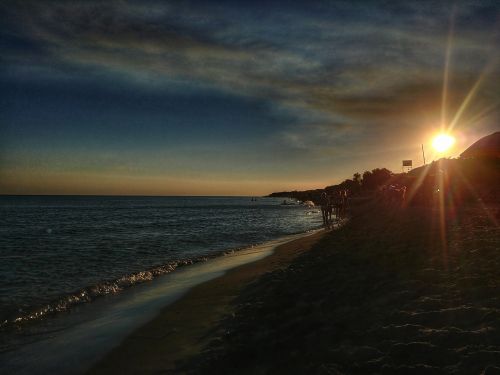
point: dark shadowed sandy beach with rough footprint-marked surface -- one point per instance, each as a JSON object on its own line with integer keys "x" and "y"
{"x": 392, "y": 292}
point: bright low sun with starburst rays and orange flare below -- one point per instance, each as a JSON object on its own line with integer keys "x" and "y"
{"x": 443, "y": 183}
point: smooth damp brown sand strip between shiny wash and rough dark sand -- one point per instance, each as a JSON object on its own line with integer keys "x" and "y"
{"x": 182, "y": 329}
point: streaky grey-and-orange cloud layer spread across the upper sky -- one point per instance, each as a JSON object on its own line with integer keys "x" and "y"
{"x": 341, "y": 73}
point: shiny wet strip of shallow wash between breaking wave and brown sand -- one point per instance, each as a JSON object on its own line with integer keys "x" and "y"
{"x": 107, "y": 321}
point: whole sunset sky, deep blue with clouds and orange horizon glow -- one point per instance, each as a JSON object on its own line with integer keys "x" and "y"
{"x": 236, "y": 97}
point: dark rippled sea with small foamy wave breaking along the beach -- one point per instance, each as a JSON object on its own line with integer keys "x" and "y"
{"x": 61, "y": 254}
